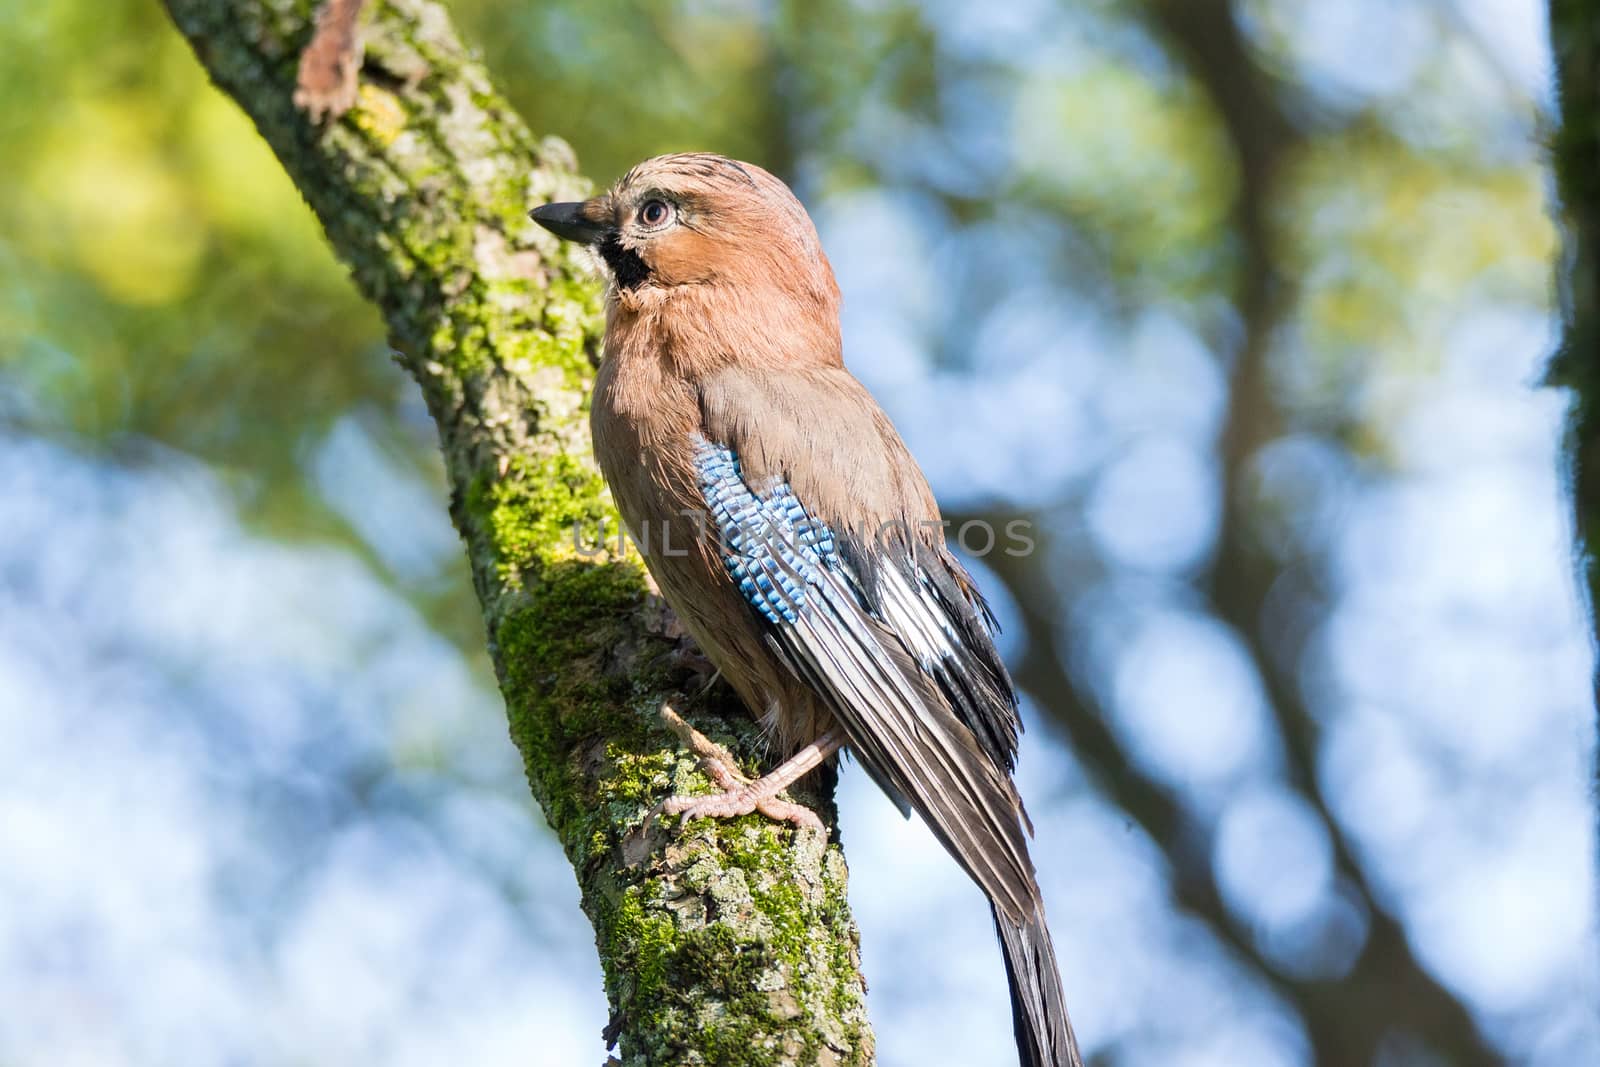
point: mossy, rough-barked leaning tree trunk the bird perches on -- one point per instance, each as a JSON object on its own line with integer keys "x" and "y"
{"x": 729, "y": 943}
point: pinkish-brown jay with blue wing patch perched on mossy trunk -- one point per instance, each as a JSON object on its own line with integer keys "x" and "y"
{"x": 788, "y": 526}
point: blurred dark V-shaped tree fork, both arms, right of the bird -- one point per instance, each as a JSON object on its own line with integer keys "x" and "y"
{"x": 1388, "y": 989}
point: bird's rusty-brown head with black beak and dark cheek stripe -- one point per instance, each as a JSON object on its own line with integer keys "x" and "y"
{"x": 703, "y": 222}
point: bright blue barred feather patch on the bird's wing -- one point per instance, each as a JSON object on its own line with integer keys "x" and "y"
{"x": 770, "y": 545}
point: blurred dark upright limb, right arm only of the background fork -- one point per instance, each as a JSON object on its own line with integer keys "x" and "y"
{"x": 1388, "y": 988}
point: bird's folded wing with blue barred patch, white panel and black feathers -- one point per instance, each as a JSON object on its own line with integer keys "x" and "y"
{"x": 879, "y": 629}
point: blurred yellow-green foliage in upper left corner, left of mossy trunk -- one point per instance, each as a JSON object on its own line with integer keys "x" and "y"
{"x": 162, "y": 278}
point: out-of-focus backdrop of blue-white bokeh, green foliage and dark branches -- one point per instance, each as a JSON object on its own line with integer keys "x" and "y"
{"x": 1239, "y": 303}
